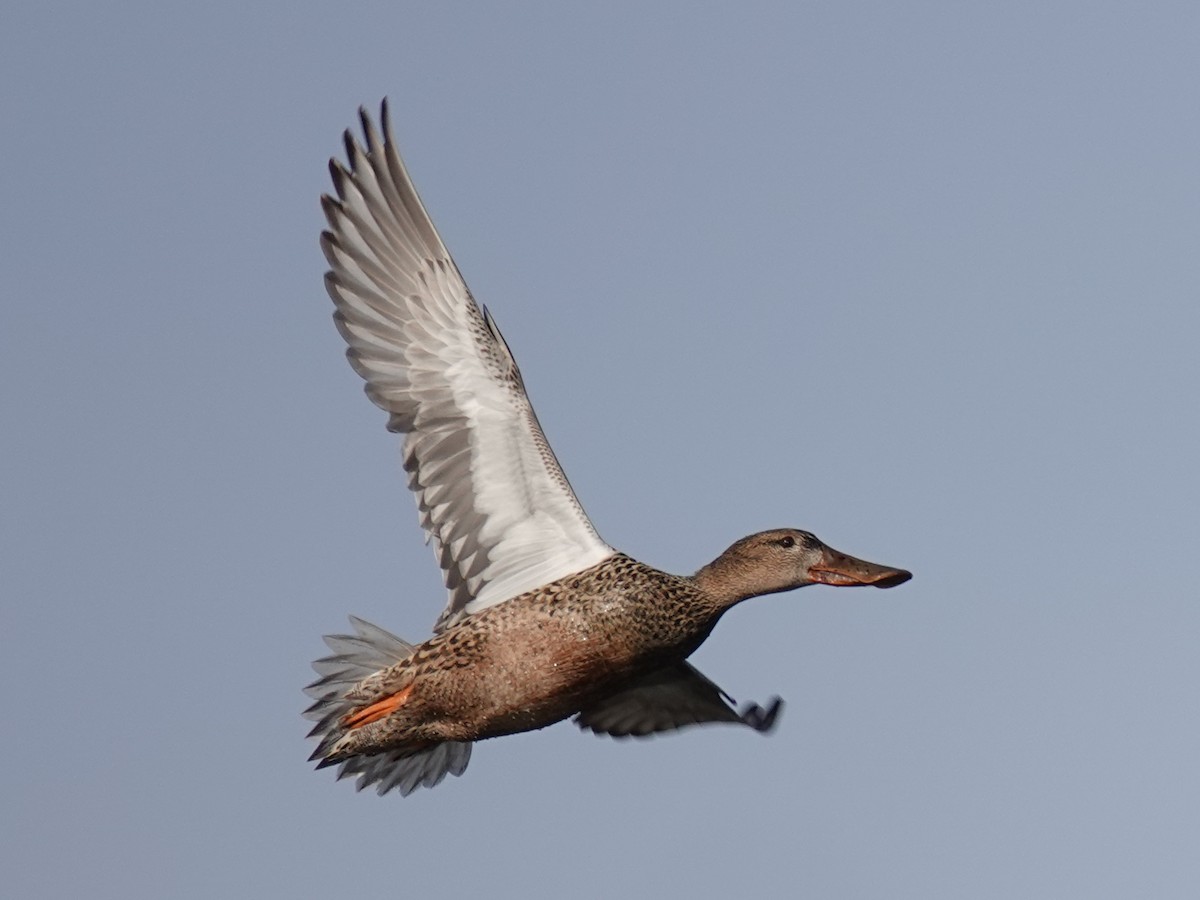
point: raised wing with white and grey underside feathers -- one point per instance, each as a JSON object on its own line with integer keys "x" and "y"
{"x": 493, "y": 499}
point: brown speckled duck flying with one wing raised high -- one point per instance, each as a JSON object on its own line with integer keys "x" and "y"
{"x": 545, "y": 621}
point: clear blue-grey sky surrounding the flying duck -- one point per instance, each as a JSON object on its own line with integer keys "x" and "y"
{"x": 921, "y": 278}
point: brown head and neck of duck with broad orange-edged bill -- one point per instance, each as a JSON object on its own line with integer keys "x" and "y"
{"x": 788, "y": 559}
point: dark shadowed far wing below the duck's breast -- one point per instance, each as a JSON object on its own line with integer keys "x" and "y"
{"x": 671, "y": 699}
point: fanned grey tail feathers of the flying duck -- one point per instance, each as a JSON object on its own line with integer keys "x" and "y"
{"x": 355, "y": 658}
